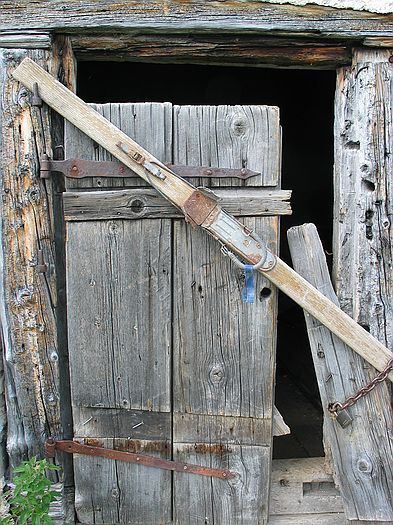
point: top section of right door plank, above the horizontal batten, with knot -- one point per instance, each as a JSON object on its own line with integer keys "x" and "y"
{"x": 229, "y": 137}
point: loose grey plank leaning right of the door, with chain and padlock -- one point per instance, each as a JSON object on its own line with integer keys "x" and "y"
{"x": 361, "y": 453}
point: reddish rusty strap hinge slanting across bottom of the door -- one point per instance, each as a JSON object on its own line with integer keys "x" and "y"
{"x": 73, "y": 447}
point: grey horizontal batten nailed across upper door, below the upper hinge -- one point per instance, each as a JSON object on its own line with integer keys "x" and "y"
{"x": 148, "y": 203}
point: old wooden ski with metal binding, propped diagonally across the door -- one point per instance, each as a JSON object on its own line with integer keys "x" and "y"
{"x": 201, "y": 208}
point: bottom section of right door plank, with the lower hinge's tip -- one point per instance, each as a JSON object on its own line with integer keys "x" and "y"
{"x": 243, "y": 500}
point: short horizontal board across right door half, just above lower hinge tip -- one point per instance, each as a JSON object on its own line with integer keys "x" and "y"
{"x": 205, "y": 429}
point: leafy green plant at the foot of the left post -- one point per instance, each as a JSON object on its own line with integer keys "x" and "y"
{"x": 31, "y": 495}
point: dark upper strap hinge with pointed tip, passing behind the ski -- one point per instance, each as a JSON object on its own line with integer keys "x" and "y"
{"x": 79, "y": 169}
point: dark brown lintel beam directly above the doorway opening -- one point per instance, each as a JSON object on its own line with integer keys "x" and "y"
{"x": 217, "y": 48}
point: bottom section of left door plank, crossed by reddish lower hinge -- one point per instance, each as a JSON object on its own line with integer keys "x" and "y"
{"x": 114, "y": 499}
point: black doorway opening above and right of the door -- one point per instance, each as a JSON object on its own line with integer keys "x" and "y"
{"x": 306, "y": 102}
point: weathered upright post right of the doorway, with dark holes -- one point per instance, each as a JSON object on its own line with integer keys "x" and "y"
{"x": 363, "y": 238}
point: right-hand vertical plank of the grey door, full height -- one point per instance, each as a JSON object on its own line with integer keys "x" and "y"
{"x": 224, "y": 350}
